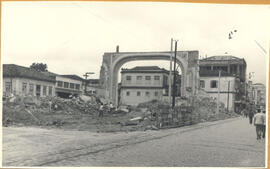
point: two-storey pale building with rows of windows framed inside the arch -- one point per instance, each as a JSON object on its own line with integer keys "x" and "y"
{"x": 142, "y": 84}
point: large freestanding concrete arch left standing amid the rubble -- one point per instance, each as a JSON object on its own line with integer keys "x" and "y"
{"x": 114, "y": 61}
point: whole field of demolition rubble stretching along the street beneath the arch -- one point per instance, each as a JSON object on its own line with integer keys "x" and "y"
{"x": 83, "y": 113}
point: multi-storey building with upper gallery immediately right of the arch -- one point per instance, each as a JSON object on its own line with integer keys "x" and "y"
{"x": 232, "y": 69}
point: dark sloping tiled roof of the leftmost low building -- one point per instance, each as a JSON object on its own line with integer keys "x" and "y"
{"x": 12, "y": 70}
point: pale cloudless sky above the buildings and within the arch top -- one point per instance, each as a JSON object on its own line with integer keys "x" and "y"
{"x": 71, "y": 37}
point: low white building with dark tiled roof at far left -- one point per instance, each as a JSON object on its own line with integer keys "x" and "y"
{"x": 24, "y": 81}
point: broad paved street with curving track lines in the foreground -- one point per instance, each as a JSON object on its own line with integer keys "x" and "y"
{"x": 222, "y": 143}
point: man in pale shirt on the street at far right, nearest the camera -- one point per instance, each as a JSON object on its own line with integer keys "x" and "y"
{"x": 259, "y": 122}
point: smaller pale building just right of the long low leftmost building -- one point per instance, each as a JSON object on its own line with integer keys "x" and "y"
{"x": 67, "y": 85}
